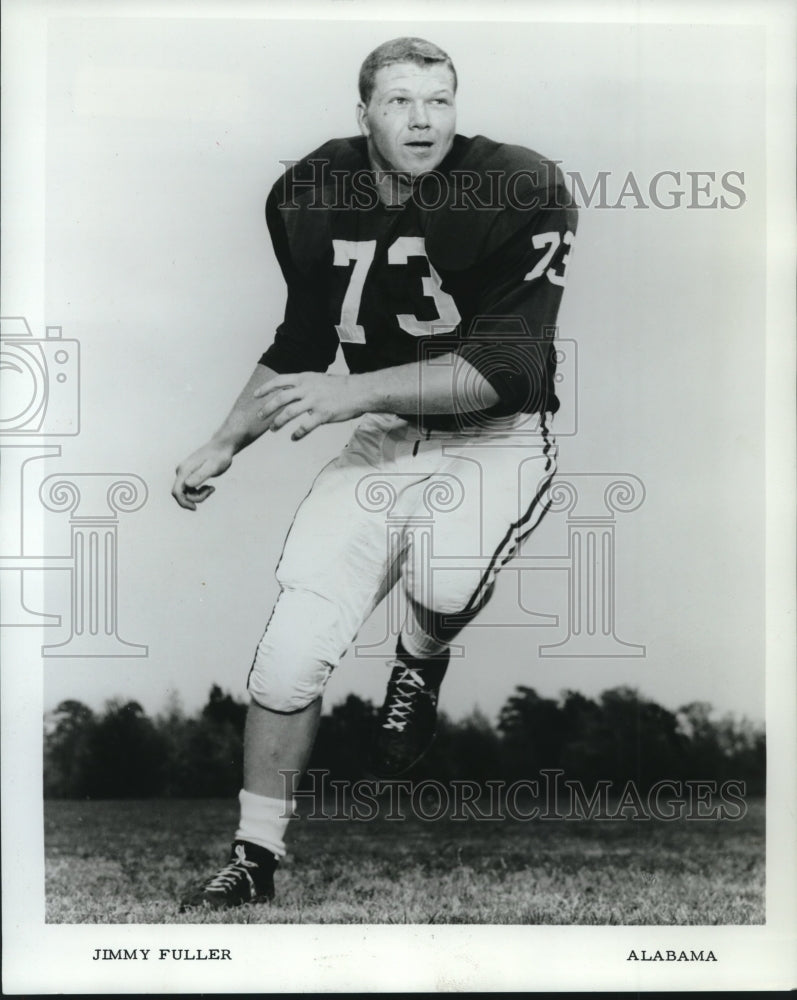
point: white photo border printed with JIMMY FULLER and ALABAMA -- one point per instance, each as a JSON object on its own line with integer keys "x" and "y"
{"x": 38, "y": 957}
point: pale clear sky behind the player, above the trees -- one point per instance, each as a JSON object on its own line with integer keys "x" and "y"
{"x": 163, "y": 137}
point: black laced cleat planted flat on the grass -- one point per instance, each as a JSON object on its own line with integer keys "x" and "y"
{"x": 248, "y": 877}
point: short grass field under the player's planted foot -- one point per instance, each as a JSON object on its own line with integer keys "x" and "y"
{"x": 126, "y": 862}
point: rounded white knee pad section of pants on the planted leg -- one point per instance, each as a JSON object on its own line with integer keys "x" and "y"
{"x": 299, "y": 649}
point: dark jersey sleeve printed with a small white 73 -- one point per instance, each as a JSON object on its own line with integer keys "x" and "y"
{"x": 510, "y": 340}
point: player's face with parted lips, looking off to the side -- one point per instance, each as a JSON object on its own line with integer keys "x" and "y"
{"x": 410, "y": 120}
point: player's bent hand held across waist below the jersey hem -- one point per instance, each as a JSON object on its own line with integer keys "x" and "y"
{"x": 310, "y": 399}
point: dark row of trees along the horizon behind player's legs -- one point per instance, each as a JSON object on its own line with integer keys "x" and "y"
{"x": 620, "y": 736}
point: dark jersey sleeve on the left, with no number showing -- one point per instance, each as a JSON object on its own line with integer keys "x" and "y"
{"x": 305, "y": 340}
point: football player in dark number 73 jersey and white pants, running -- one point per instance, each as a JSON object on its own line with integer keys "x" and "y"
{"x": 437, "y": 263}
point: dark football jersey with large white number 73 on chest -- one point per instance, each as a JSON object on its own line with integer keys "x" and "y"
{"x": 473, "y": 263}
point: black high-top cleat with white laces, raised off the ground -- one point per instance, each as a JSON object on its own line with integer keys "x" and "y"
{"x": 407, "y": 722}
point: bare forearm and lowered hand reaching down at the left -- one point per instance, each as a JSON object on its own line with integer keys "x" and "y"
{"x": 242, "y": 426}
